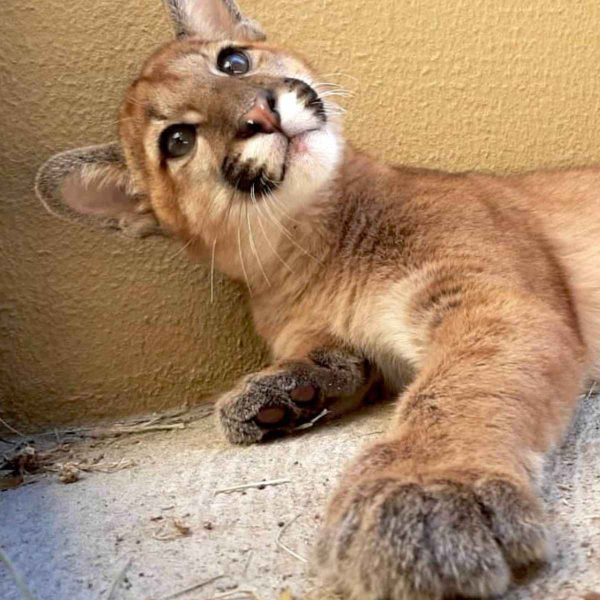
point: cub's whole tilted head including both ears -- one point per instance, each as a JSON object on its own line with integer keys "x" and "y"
{"x": 217, "y": 120}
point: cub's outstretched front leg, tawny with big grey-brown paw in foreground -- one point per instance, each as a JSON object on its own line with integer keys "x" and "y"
{"x": 446, "y": 504}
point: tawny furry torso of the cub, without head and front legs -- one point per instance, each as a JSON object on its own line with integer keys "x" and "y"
{"x": 381, "y": 236}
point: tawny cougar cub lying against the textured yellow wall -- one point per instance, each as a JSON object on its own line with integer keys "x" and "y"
{"x": 488, "y": 288}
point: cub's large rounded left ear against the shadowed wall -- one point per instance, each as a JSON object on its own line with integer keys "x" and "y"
{"x": 93, "y": 186}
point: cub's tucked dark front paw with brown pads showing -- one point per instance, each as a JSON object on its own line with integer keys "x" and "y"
{"x": 290, "y": 393}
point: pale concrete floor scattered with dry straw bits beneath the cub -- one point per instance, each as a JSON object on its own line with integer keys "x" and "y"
{"x": 69, "y": 542}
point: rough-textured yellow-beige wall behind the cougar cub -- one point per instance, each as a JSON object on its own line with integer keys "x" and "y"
{"x": 95, "y": 325}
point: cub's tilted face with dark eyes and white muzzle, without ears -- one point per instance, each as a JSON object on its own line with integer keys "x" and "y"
{"x": 208, "y": 125}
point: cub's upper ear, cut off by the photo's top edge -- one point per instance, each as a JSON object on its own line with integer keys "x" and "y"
{"x": 213, "y": 20}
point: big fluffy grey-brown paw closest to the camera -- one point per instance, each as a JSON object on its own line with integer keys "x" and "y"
{"x": 390, "y": 539}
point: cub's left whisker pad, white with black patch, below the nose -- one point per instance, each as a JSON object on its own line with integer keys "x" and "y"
{"x": 266, "y": 171}
